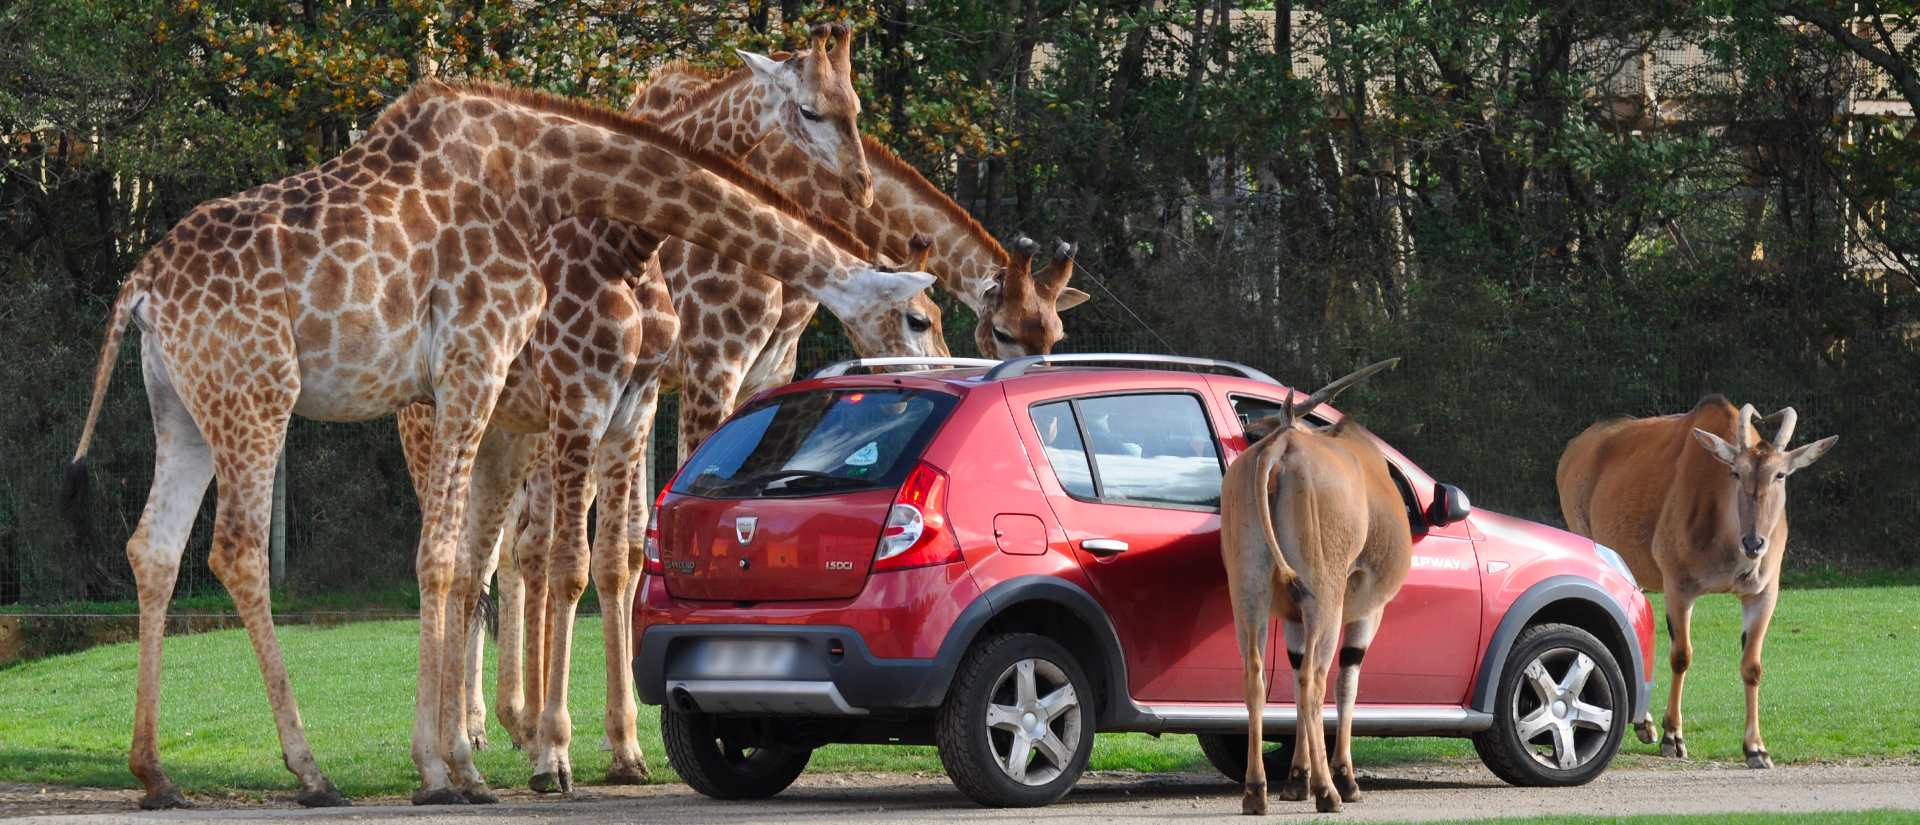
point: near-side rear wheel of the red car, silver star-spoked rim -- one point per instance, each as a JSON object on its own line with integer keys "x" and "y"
{"x": 1022, "y": 701}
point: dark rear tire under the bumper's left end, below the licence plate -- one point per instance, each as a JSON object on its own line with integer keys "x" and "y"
{"x": 711, "y": 759}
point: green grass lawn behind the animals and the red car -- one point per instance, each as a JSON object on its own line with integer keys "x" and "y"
{"x": 1842, "y": 682}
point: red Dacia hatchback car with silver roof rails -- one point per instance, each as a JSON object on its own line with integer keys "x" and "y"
{"x": 1007, "y": 557}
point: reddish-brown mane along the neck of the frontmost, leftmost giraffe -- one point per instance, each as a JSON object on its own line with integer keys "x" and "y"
{"x": 635, "y": 128}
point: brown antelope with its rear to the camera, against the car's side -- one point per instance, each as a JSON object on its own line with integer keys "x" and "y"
{"x": 1314, "y": 532}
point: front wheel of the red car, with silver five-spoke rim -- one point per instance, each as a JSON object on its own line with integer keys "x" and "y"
{"x": 1554, "y": 728}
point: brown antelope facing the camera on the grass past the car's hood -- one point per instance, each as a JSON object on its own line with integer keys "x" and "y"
{"x": 1689, "y": 527}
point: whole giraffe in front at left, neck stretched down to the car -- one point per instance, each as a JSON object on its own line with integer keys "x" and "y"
{"x": 396, "y": 273}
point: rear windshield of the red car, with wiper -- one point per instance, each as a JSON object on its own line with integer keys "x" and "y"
{"x": 815, "y": 444}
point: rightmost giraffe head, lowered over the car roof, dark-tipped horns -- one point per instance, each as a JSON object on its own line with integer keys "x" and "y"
{"x": 1020, "y": 312}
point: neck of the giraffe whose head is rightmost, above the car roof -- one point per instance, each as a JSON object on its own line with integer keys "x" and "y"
{"x": 963, "y": 260}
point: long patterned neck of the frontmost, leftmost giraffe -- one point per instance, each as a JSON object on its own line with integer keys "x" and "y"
{"x": 544, "y": 160}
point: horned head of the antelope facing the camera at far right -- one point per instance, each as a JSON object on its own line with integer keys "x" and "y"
{"x": 1762, "y": 473}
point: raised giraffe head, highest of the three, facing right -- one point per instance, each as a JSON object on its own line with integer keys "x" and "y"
{"x": 817, "y": 108}
